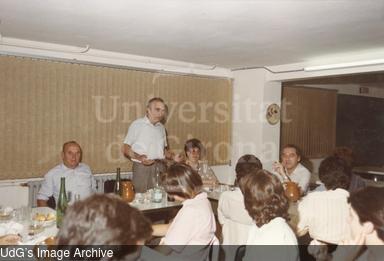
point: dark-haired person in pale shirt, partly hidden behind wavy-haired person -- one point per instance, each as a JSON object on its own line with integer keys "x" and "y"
{"x": 231, "y": 211}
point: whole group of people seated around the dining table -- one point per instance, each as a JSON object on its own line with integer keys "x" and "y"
{"x": 256, "y": 212}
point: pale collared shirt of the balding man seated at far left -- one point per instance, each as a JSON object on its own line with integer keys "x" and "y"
{"x": 78, "y": 181}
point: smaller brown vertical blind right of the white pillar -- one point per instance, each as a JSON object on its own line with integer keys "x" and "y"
{"x": 309, "y": 120}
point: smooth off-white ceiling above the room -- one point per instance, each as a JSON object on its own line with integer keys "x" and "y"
{"x": 226, "y": 33}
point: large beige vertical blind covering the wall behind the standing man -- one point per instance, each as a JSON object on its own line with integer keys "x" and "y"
{"x": 45, "y": 103}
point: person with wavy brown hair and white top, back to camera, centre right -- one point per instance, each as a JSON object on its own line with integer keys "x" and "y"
{"x": 266, "y": 203}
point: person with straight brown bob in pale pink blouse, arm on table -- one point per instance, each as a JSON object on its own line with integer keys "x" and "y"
{"x": 193, "y": 228}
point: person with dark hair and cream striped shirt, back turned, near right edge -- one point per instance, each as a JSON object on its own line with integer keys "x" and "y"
{"x": 324, "y": 214}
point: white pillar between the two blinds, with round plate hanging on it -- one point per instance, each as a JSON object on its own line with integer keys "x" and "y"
{"x": 251, "y": 132}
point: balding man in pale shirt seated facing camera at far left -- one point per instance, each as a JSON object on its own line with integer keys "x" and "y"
{"x": 79, "y": 181}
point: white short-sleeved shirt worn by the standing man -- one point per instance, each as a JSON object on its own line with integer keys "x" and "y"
{"x": 146, "y": 138}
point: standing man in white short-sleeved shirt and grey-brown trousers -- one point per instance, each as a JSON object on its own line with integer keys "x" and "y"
{"x": 145, "y": 144}
